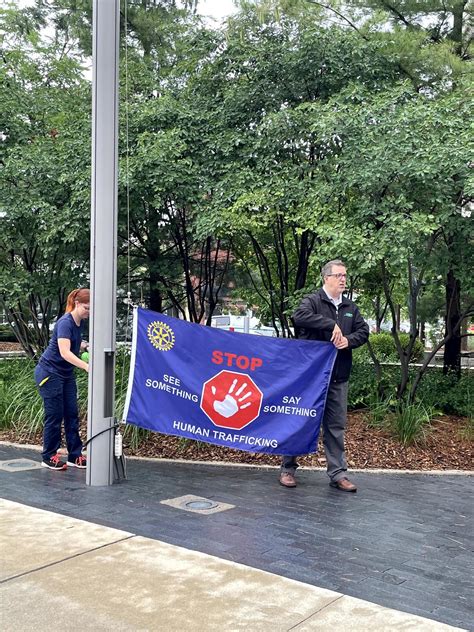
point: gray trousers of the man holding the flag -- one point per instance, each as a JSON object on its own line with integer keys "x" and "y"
{"x": 334, "y": 425}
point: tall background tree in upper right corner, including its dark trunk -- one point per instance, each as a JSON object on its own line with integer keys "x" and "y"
{"x": 430, "y": 41}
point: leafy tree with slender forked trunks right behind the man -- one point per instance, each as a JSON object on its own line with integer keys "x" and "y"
{"x": 399, "y": 169}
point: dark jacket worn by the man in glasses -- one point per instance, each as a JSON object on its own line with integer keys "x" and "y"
{"x": 315, "y": 318}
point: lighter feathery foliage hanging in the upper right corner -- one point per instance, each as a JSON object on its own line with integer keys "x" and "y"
{"x": 428, "y": 39}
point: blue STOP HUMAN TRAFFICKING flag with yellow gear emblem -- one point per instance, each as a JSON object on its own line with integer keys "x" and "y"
{"x": 237, "y": 390}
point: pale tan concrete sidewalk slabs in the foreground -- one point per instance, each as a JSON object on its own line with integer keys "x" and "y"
{"x": 63, "y": 573}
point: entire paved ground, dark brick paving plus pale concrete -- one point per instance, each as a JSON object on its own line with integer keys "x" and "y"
{"x": 124, "y": 558}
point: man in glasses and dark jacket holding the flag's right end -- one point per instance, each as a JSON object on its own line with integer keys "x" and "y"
{"x": 327, "y": 315}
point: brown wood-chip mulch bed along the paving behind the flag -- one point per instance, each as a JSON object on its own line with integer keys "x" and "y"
{"x": 446, "y": 447}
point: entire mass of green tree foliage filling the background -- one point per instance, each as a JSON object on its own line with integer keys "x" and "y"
{"x": 287, "y": 139}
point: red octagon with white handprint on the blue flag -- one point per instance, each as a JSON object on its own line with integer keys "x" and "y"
{"x": 231, "y": 400}
